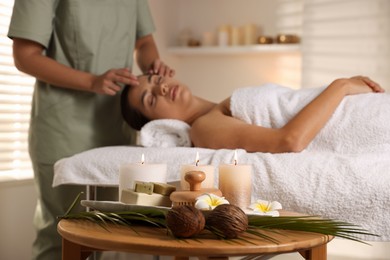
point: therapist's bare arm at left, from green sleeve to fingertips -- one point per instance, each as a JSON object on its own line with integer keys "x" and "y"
{"x": 29, "y": 58}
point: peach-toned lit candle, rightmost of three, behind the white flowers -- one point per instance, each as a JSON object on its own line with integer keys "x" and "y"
{"x": 235, "y": 183}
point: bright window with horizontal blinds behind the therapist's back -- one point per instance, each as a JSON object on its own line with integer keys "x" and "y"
{"x": 15, "y": 105}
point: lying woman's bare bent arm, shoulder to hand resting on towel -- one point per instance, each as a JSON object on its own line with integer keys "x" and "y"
{"x": 219, "y": 130}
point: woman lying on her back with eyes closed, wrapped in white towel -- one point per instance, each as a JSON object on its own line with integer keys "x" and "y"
{"x": 350, "y": 115}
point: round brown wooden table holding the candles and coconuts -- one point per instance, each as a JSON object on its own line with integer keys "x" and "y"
{"x": 81, "y": 237}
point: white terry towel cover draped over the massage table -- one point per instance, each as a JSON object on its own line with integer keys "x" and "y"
{"x": 353, "y": 188}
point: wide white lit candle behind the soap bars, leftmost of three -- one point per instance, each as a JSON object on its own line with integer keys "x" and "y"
{"x": 131, "y": 172}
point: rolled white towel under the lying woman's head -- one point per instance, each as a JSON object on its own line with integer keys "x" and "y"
{"x": 165, "y": 133}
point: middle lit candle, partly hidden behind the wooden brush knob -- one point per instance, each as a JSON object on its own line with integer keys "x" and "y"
{"x": 207, "y": 169}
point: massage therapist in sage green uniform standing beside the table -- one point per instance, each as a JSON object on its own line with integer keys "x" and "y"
{"x": 80, "y": 52}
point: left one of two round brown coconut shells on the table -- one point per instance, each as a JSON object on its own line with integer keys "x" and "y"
{"x": 185, "y": 221}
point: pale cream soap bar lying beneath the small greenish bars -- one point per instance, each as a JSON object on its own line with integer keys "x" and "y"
{"x": 129, "y": 196}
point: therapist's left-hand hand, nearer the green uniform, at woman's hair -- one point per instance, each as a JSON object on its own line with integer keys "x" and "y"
{"x": 108, "y": 83}
